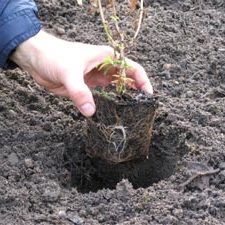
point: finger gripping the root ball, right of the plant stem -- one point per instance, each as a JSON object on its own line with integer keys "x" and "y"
{"x": 138, "y": 73}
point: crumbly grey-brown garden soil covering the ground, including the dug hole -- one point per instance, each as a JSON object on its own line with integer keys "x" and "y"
{"x": 47, "y": 178}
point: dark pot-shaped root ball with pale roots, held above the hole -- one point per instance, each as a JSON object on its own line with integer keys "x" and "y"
{"x": 121, "y": 128}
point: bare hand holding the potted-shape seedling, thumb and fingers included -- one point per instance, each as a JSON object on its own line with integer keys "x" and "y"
{"x": 69, "y": 68}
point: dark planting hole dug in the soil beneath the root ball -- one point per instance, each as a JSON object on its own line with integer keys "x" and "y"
{"x": 167, "y": 148}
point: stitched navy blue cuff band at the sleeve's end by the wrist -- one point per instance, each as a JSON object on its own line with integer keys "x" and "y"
{"x": 15, "y": 29}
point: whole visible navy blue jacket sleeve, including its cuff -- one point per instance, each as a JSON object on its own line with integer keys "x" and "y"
{"x": 18, "y": 22}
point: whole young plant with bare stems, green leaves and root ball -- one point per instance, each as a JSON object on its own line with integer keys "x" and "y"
{"x": 121, "y": 128}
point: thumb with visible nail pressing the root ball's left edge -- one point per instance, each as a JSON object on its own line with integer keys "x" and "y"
{"x": 80, "y": 94}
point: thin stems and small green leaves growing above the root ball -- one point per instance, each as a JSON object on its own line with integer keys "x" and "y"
{"x": 120, "y": 42}
